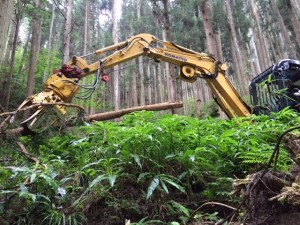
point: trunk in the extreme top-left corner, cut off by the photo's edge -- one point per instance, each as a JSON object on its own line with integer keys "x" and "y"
{"x": 6, "y": 12}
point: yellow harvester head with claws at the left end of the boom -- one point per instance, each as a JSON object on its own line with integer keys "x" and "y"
{"x": 59, "y": 90}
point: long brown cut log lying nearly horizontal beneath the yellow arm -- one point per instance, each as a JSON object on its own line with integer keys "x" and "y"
{"x": 122, "y": 112}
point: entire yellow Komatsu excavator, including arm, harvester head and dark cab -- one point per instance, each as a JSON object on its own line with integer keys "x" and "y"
{"x": 265, "y": 93}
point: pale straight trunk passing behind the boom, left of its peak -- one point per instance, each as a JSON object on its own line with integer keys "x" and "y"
{"x": 116, "y": 68}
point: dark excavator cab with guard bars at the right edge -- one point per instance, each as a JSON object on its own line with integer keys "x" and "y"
{"x": 276, "y": 88}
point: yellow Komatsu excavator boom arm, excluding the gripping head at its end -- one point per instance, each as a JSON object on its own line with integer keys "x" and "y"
{"x": 192, "y": 65}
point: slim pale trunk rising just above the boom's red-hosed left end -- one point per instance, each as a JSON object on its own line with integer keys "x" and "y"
{"x": 67, "y": 32}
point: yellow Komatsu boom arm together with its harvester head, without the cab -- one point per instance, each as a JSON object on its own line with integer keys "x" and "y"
{"x": 63, "y": 85}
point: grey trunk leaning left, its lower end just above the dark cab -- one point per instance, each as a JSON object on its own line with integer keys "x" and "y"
{"x": 287, "y": 41}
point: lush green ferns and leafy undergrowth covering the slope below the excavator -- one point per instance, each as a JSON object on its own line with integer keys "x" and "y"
{"x": 149, "y": 168}
